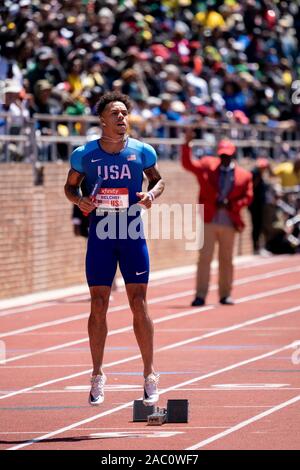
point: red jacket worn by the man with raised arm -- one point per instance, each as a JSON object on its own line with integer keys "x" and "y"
{"x": 207, "y": 171}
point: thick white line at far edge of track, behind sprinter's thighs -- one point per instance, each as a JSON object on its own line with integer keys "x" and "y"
{"x": 241, "y": 262}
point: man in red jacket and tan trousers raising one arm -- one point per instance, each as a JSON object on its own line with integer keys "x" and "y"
{"x": 225, "y": 188}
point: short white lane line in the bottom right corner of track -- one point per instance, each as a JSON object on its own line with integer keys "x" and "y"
{"x": 243, "y": 424}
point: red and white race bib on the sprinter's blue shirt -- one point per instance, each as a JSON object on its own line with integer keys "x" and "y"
{"x": 111, "y": 199}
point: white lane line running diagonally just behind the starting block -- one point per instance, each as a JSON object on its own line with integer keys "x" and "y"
{"x": 128, "y": 404}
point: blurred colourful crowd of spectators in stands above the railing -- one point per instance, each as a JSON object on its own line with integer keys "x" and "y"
{"x": 225, "y": 61}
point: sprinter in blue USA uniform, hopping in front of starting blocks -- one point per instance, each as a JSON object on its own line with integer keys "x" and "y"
{"x": 121, "y": 162}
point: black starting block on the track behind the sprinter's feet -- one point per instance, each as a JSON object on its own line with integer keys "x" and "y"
{"x": 177, "y": 411}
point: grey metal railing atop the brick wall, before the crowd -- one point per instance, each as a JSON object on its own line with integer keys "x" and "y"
{"x": 39, "y": 139}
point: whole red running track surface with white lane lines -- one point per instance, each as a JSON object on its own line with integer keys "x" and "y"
{"x": 237, "y": 365}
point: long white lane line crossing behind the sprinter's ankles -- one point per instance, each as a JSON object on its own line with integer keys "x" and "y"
{"x": 164, "y": 348}
